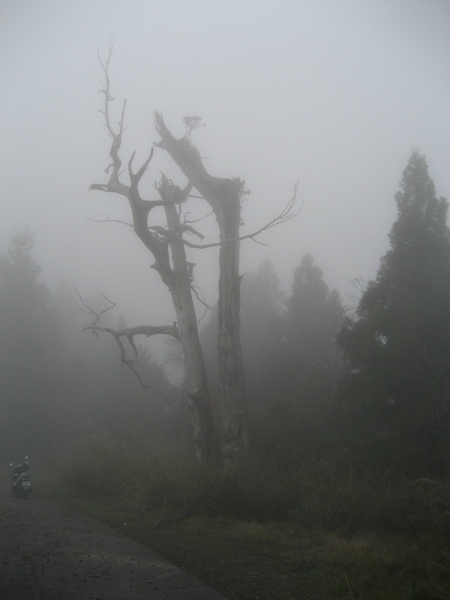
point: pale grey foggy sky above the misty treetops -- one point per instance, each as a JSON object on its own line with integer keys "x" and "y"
{"x": 332, "y": 94}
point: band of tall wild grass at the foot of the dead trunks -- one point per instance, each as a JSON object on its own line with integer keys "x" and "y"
{"x": 167, "y": 485}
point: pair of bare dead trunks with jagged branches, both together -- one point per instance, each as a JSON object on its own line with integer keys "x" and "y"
{"x": 168, "y": 244}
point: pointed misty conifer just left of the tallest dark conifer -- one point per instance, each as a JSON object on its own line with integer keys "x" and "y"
{"x": 299, "y": 423}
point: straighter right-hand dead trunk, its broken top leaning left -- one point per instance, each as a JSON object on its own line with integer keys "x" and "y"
{"x": 224, "y": 196}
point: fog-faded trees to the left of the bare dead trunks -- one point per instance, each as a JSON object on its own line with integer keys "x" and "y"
{"x": 58, "y": 385}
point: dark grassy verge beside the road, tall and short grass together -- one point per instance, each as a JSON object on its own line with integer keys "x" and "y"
{"x": 298, "y": 545}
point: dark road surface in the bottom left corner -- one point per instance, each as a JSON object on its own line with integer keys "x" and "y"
{"x": 50, "y": 553}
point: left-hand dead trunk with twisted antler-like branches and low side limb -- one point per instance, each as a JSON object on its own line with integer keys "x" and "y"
{"x": 167, "y": 247}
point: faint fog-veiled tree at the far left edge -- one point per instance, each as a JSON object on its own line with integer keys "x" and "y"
{"x": 28, "y": 348}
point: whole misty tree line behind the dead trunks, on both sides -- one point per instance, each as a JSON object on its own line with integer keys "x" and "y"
{"x": 369, "y": 386}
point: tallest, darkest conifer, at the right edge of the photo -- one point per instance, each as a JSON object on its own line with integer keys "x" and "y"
{"x": 399, "y": 341}
